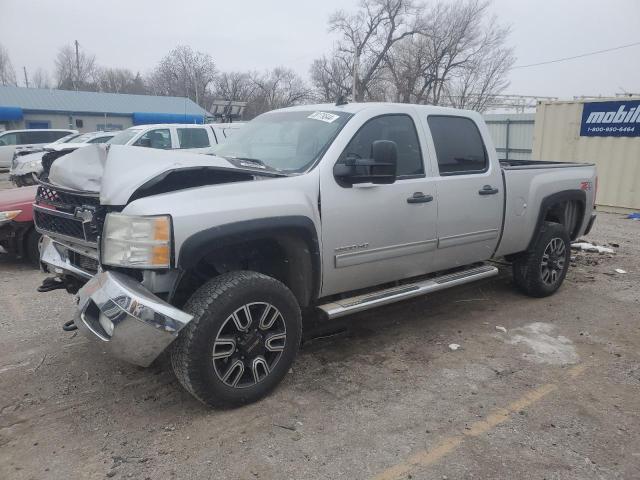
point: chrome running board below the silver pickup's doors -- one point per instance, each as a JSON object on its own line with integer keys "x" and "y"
{"x": 346, "y": 306}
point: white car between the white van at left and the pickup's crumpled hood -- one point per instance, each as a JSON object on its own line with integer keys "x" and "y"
{"x": 26, "y": 167}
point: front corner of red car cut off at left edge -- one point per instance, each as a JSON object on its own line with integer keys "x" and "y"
{"x": 17, "y": 232}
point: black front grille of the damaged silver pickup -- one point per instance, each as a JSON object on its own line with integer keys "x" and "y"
{"x": 68, "y": 214}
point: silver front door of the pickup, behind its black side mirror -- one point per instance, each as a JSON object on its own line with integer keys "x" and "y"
{"x": 372, "y": 234}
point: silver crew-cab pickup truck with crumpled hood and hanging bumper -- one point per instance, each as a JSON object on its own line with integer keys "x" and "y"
{"x": 329, "y": 209}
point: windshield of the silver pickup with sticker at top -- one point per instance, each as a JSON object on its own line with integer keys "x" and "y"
{"x": 286, "y": 141}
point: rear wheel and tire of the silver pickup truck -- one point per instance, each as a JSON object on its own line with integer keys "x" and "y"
{"x": 541, "y": 271}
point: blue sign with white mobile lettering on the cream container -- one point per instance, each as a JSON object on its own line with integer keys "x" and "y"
{"x": 611, "y": 119}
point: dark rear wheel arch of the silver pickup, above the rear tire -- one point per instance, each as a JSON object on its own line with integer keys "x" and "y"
{"x": 552, "y": 208}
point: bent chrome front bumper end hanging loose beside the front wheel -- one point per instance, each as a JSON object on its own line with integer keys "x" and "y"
{"x": 129, "y": 321}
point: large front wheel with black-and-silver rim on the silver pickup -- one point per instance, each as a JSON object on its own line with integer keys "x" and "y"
{"x": 265, "y": 341}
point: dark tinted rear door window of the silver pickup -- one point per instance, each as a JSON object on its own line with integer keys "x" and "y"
{"x": 459, "y": 146}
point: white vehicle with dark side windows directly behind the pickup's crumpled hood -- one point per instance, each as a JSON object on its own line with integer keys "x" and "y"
{"x": 192, "y": 137}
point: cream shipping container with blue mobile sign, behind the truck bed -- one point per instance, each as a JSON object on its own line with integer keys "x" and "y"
{"x": 601, "y": 131}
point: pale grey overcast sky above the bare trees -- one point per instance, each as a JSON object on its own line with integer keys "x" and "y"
{"x": 258, "y": 34}
